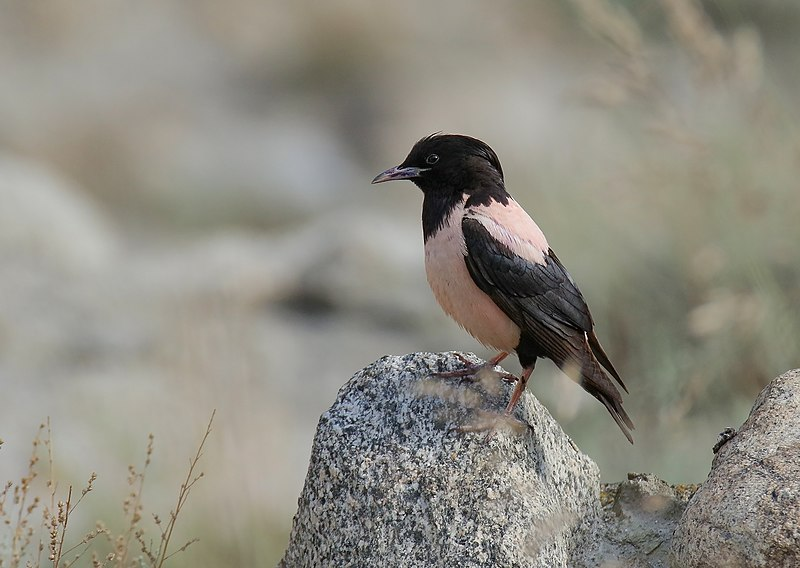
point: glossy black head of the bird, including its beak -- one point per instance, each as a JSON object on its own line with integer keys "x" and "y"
{"x": 448, "y": 163}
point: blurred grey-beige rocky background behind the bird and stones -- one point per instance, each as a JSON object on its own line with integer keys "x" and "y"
{"x": 187, "y": 223}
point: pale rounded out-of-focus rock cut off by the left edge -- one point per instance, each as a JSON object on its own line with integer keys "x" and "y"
{"x": 44, "y": 218}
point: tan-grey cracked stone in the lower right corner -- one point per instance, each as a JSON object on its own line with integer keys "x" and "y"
{"x": 748, "y": 511}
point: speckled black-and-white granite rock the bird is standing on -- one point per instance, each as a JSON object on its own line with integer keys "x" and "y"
{"x": 393, "y": 482}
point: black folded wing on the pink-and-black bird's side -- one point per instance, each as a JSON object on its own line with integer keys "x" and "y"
{"x": 540, "y": 298}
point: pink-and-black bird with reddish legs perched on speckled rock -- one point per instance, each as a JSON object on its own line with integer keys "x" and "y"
{"x": 491, "y": 269}
